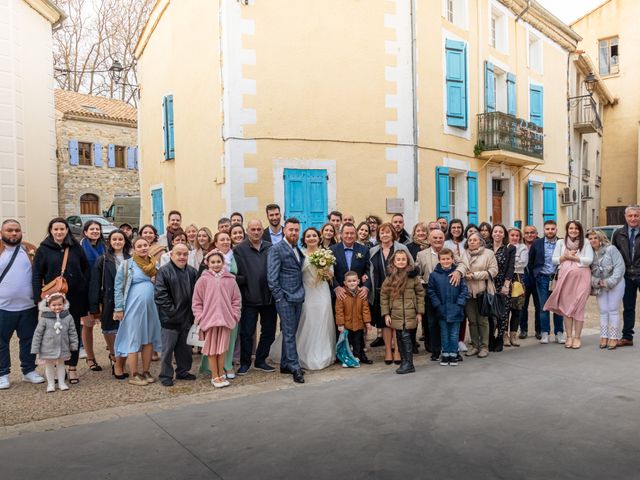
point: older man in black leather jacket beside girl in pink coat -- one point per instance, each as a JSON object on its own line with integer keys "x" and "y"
{"x": 173, "y": 292}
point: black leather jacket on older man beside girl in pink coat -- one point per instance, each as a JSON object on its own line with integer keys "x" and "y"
{"x": 173, "y": 293}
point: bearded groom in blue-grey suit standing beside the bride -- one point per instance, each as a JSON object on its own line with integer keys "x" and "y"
{"x": 284, "y": 277}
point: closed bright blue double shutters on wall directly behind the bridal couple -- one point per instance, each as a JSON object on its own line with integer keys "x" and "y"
{"x": 305, "y": 196}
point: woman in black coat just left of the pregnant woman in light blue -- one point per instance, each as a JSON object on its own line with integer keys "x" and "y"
{"x": 101, "y": 301}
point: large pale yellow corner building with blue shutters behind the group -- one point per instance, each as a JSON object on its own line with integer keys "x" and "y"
{"x": 440, "y": 107}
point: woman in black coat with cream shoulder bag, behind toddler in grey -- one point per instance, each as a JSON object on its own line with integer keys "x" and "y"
{"x": 47, "y": 265}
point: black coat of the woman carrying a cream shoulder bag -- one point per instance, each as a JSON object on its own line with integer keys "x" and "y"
{"x": 47, "y": 265}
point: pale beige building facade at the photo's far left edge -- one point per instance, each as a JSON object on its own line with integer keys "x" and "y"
{"x": 27, "y": 137}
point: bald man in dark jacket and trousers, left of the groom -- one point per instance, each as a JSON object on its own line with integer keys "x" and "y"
{"x": 251, "y": 258}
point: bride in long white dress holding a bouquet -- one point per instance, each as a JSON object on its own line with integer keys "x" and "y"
{"x": 316, "y": 336}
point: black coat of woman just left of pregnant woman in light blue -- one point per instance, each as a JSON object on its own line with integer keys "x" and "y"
{"x": 103, "y": 278}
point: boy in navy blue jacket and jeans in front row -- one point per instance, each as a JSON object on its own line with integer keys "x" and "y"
{"x": 448, "y": 302}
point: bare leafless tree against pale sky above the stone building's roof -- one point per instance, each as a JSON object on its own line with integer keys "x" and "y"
{"x": 95, "y": 34}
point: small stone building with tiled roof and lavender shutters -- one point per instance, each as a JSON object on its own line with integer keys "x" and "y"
{"x": 97, "y": 152}
